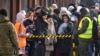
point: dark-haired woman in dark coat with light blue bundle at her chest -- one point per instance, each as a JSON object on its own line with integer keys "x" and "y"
{"x": 64, "y": 44}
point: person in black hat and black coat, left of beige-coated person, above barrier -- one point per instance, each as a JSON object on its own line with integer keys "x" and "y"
{"x": 41, "y": 25}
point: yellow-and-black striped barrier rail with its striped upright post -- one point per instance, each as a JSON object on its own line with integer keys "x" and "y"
{"x": 74, "y": 53}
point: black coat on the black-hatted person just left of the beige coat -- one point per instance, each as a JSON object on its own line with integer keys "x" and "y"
{"x": 41, "y": 27}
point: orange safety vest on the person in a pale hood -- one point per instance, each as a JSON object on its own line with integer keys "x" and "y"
{"x": 21, "y": 40}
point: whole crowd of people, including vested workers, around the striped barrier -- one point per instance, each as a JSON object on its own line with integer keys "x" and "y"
{"x": 77, "y": 20}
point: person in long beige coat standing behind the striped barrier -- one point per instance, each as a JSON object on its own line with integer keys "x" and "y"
{"x": 49, "y": 42}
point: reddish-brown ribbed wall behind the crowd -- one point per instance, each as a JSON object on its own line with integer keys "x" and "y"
{"x": 14, "y": 6}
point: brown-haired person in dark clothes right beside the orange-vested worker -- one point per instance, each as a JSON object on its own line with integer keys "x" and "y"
{"x": 30, "y": 28}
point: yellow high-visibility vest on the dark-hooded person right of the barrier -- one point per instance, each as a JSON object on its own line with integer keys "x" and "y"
{"x": 88, "y": 33}
